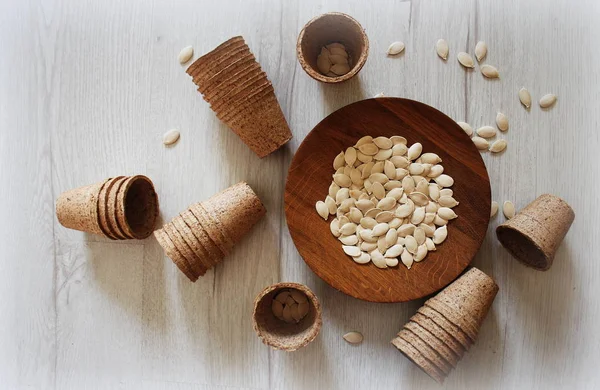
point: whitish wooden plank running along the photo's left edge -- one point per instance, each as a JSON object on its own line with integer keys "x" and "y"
{"x": 27, "y": 306}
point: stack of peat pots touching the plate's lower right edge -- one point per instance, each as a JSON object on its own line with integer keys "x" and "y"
{"x": 442, "y": 330}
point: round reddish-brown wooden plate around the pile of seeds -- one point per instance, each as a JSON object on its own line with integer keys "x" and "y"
{"x": 310, "y": 175}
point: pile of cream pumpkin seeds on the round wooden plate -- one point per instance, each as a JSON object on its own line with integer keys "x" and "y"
{"x": 390, "y": 201}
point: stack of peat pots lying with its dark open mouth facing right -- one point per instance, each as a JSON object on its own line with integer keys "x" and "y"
{"x": 120, "y": 208}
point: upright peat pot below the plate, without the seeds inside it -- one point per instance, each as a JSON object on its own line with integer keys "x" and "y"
{"x": 278, "y": 333}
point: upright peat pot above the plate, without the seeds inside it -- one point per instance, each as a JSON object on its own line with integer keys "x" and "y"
{"x": 331, "y": 28}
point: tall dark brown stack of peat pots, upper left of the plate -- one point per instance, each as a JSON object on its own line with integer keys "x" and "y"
{"x": 239, "y": 92}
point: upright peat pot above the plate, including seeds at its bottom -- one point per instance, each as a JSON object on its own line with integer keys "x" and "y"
{"x": 332, "y": 47}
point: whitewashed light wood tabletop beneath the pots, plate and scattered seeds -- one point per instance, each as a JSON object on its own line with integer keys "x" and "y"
{"x": 87, "y": 88}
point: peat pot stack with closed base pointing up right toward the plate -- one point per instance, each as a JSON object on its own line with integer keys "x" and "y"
{"x": 201, "y": 236}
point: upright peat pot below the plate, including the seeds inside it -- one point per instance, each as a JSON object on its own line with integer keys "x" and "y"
{"x": 280, "y": 329}
